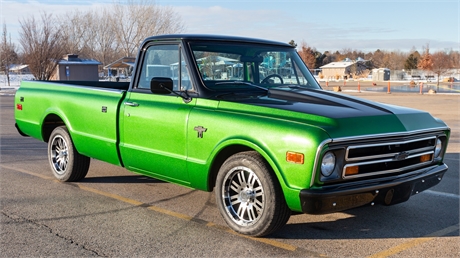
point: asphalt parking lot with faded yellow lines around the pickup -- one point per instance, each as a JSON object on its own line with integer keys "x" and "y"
{"x": 113, "y": 212}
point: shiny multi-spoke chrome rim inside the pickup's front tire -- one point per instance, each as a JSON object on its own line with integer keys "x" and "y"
{"x": 243, "y": 195}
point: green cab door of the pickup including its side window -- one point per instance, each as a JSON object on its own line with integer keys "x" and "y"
{"x": 152, "y": 126}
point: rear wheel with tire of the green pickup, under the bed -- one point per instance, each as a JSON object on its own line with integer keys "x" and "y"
{"x": 66, "y": 163}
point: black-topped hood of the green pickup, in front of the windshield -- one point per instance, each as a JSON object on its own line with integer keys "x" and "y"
{"x": 338, "y": 114}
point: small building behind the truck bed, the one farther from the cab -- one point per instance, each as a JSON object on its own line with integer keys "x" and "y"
{"x": 72, "y": 68}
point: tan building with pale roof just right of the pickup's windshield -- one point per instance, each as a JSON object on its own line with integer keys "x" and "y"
{"x": 344, "y": 69}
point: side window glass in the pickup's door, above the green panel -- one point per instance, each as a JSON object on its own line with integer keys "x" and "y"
{"x": 163, "y": 61}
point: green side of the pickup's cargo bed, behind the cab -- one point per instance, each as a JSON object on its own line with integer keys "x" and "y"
{"x": 89, "y": 109}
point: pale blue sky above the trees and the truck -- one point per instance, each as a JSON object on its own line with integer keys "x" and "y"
{"x": 326, "y": 25}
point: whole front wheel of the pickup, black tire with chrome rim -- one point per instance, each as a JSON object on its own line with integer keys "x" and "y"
{"x": 249, "y": 196}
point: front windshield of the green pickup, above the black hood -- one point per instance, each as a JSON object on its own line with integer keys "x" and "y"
{"x": 224, "y": 66}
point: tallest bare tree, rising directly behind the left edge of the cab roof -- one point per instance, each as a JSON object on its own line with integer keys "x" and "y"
{"x": 137, "y": 20}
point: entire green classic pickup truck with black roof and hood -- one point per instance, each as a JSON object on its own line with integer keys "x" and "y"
{"x": 241, "y": 117}
